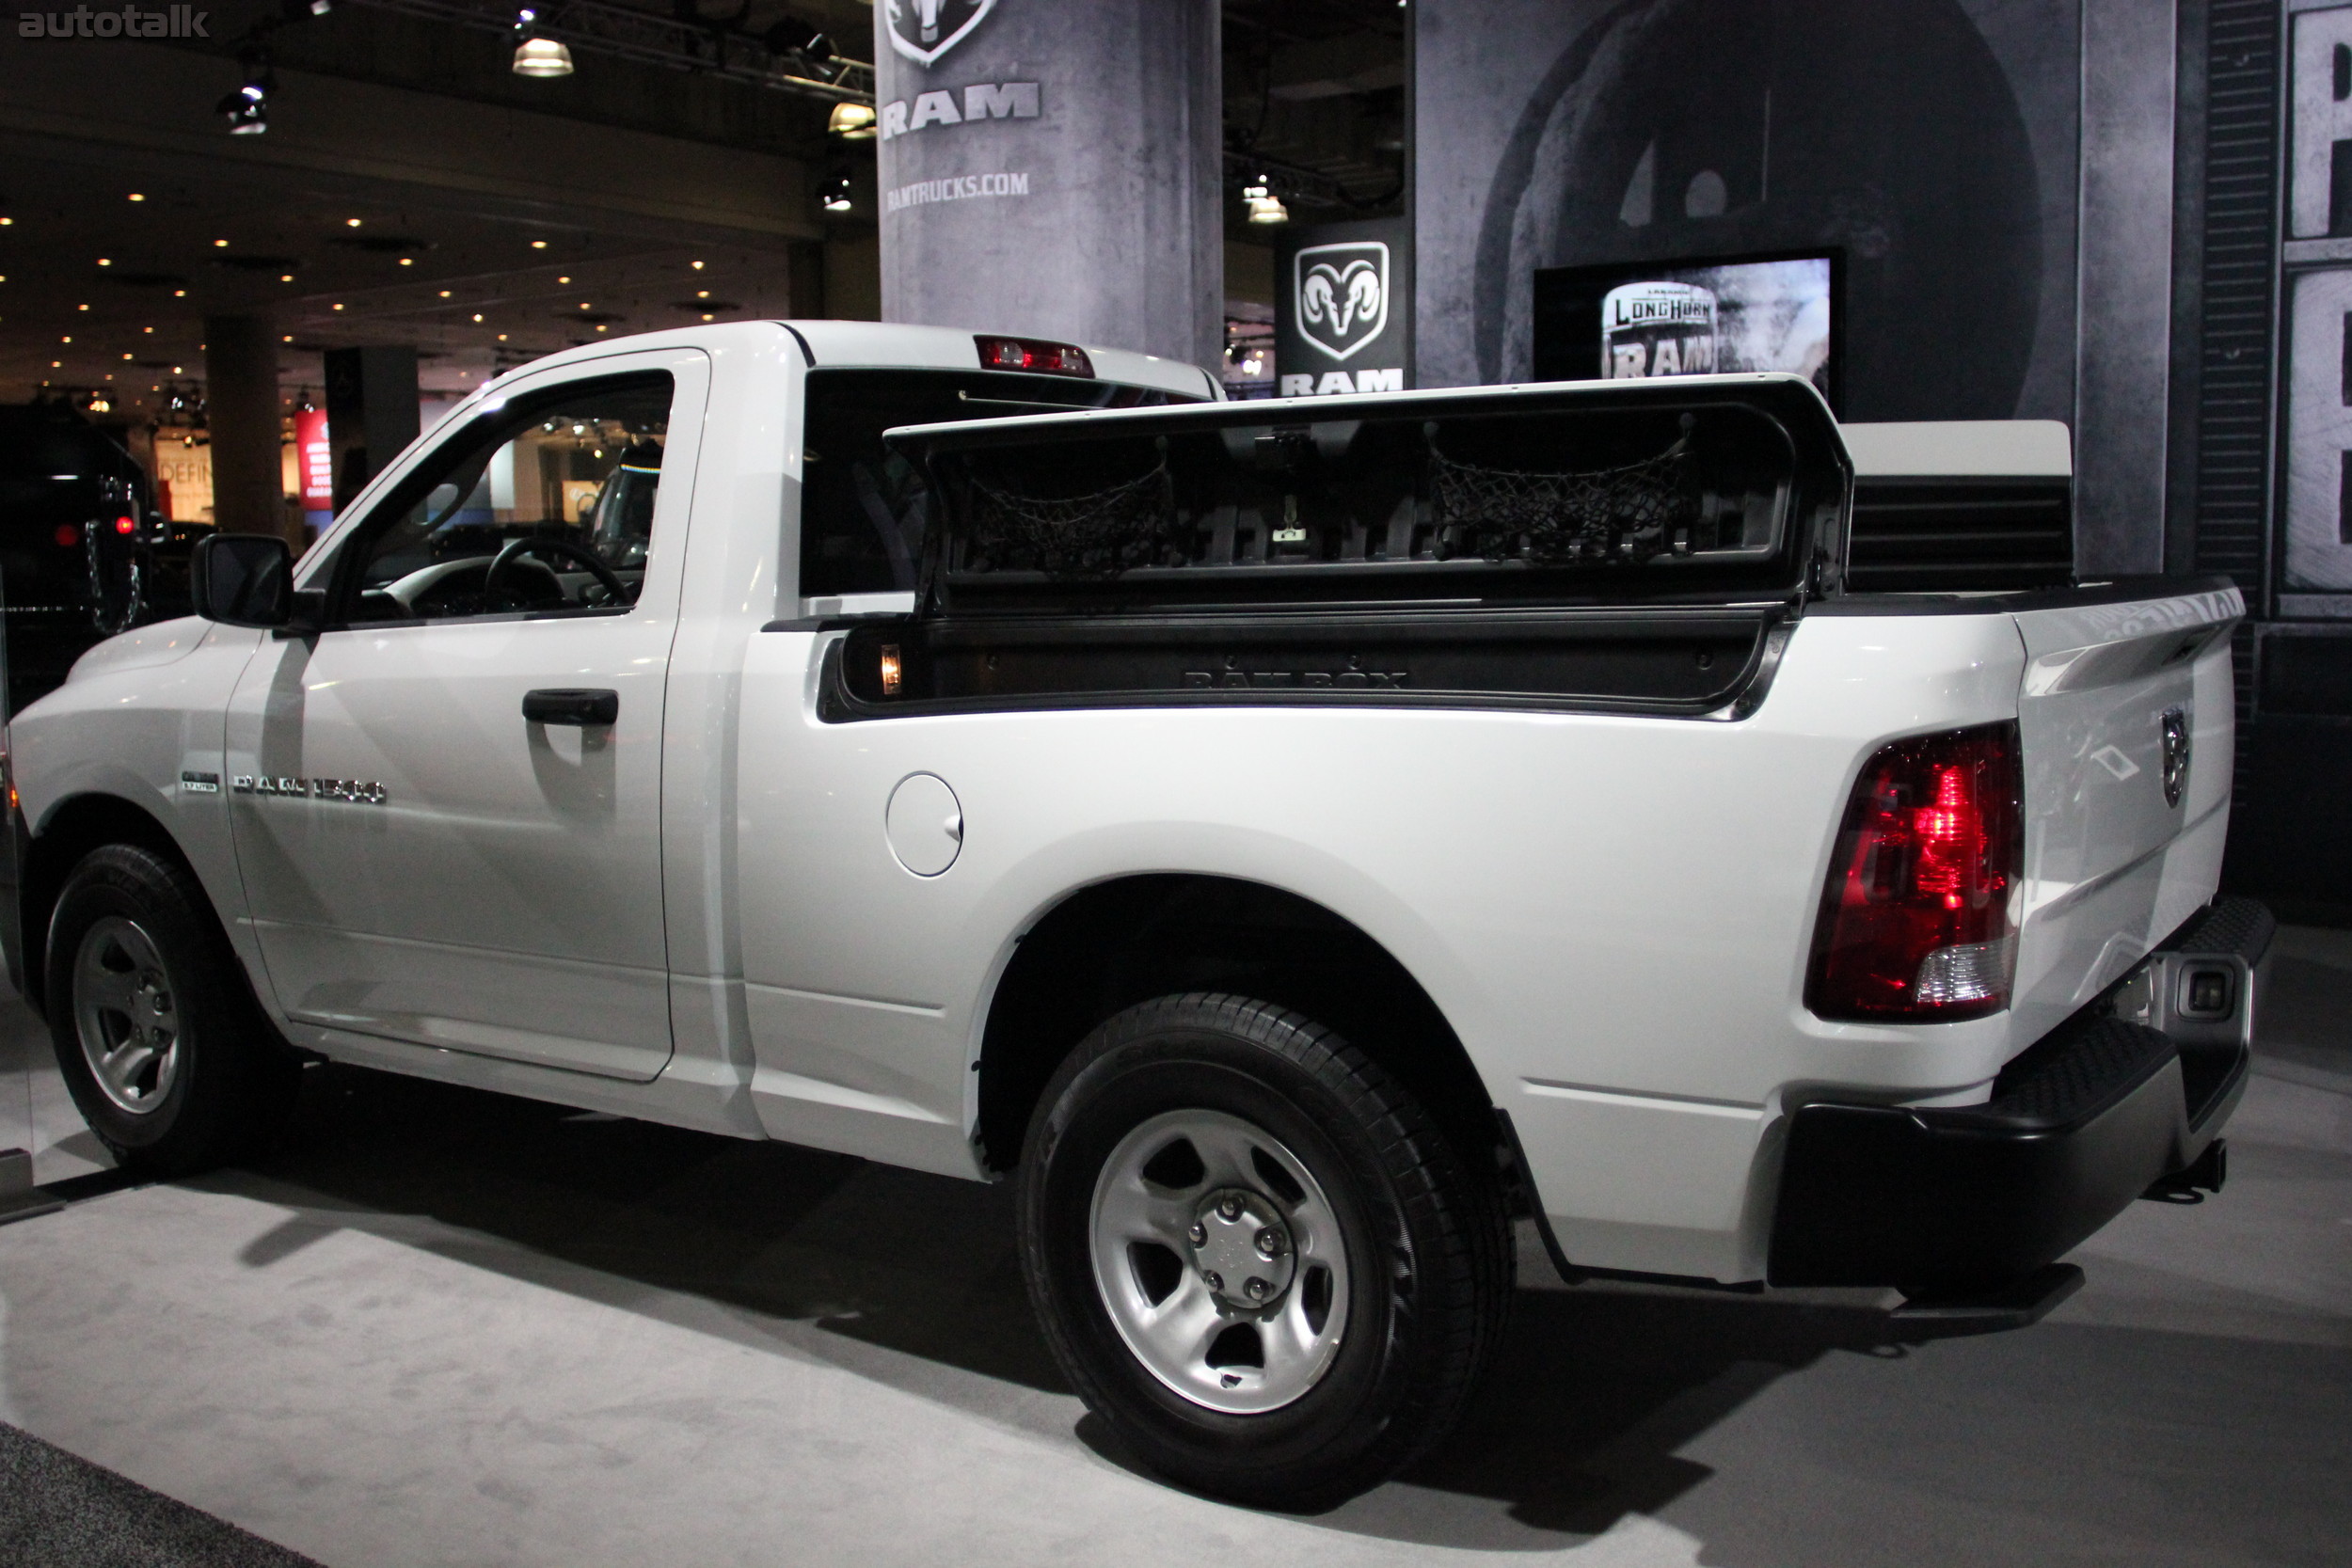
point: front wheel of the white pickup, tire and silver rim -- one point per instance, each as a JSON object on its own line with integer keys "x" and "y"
{"x": 156, "y": 1036}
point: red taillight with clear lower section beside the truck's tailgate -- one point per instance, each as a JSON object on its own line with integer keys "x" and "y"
{"x": 1916, "y": 918}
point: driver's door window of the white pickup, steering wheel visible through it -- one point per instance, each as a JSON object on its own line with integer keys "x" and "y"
{"x": 544, "y": 507}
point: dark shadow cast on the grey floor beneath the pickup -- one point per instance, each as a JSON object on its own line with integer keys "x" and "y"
{"x": 1577, "y": 1428}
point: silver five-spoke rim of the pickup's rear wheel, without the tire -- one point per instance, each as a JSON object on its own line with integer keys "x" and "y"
{"x": 1220, "y": 1261}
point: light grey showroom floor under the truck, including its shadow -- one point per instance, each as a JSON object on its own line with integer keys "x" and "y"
{"x": 457, "y": 1329}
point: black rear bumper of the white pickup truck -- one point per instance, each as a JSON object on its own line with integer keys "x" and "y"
{"x": 2076, "y": 1130}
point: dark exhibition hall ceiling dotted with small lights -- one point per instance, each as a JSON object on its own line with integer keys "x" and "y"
{"x": 107, "y": 295}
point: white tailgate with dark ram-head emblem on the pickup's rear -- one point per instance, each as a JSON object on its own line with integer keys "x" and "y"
{"x": 2127, "y": 725}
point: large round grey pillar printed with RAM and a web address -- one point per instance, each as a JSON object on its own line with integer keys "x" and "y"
{"x": 1055, "y": 170}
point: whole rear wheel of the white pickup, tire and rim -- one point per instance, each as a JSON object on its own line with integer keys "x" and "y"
{"x": 1255, "y": 1254}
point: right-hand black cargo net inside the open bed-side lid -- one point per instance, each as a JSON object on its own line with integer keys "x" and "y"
{"x": 1603, "y": 516}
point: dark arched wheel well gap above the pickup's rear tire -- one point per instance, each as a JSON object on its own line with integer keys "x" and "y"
{"x": 1125, "y": 942}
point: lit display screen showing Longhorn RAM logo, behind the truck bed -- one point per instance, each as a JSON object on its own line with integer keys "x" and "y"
{"x": 1690, "y": 319}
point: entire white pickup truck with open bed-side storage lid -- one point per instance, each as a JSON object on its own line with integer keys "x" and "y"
{"x": 1290, "y": 840}
